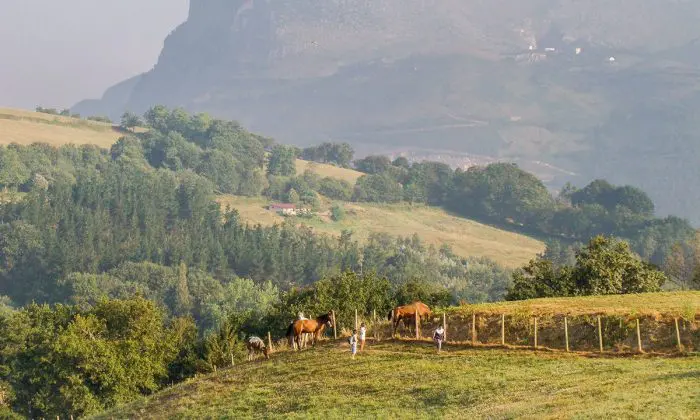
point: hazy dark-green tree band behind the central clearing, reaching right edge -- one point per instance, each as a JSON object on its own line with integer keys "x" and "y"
{"x": 507, "y": 196}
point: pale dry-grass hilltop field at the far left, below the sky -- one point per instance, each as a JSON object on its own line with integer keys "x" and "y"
{"x": 25, "y": 127}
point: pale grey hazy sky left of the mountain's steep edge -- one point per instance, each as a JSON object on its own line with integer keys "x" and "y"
{"x": 56, "y": 52}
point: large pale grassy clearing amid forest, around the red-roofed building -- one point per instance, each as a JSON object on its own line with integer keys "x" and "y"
{"x": 433, "y": 225}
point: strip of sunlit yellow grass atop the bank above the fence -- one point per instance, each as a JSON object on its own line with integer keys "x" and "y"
{"x": 682, "y": 304}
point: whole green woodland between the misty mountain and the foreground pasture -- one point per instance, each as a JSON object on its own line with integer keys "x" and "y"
{"x": 120, "y": 273}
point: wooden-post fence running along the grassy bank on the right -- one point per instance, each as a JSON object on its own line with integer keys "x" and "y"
{"x": 543, "y": 332}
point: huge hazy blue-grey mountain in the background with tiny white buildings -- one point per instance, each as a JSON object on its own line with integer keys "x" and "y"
{"x": 589, "y": 87}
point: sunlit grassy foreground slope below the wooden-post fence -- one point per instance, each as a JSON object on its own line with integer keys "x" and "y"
{"x": 401, "y": 380}
